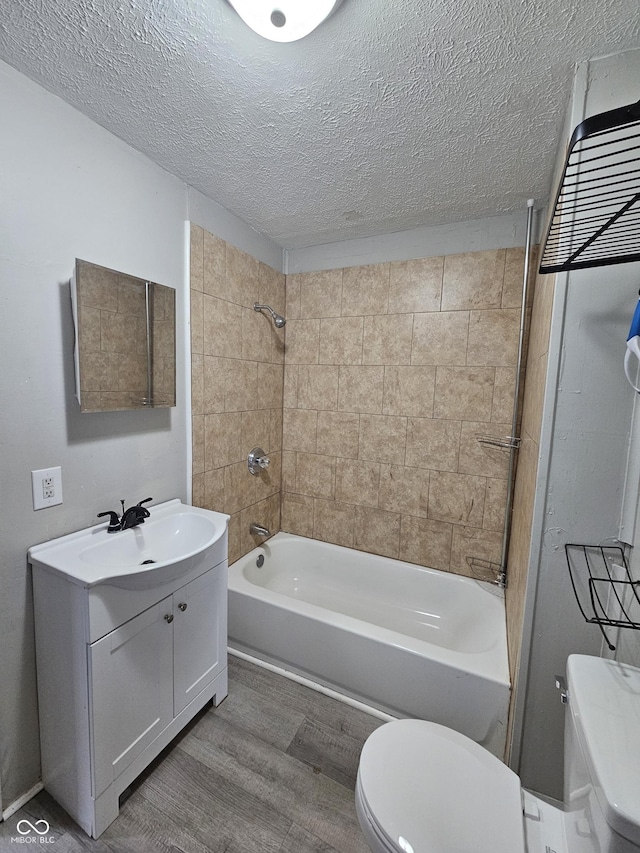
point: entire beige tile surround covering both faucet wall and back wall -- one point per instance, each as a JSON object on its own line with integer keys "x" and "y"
{"x": 371, "y": 415}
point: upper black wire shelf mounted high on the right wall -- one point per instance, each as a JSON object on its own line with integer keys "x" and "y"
{"x": 596, "y": 214}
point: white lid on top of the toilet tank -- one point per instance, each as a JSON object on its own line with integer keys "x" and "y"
{"x": 604, "y": 700}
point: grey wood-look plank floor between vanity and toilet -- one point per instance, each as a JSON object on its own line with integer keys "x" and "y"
{"x": 271, "y": 770}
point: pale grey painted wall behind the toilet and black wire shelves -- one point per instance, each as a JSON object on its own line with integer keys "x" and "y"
{"x": 584, "y": 442}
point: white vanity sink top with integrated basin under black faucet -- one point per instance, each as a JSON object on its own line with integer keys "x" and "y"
{"x": 165, "y": 546}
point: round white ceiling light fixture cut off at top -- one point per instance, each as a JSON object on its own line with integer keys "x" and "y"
{"x": 284, "y": 20}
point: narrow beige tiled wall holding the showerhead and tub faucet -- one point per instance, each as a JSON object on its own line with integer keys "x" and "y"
{"x": 237, "y": 376}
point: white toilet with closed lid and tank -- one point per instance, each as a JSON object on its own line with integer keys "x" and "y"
{"x": 423, "y": 788}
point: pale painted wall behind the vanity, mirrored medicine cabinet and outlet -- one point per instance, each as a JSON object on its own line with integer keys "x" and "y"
{"x": 69, "y": 189}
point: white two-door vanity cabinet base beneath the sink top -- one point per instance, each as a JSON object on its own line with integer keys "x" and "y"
{"x": 123, "y": 664}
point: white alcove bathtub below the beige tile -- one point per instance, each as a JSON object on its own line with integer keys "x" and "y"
{"x": 410, "y": 641}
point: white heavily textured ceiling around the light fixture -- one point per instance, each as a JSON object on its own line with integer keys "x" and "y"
{"x": 394, "y": 114}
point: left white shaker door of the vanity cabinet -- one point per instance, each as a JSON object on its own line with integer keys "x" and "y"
{"x": 131, "y": 690}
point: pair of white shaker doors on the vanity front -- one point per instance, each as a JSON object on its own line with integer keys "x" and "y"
{"x": 132, "y": 699}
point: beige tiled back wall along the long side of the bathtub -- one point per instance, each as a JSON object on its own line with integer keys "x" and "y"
{"x": 391, "y": 372}
